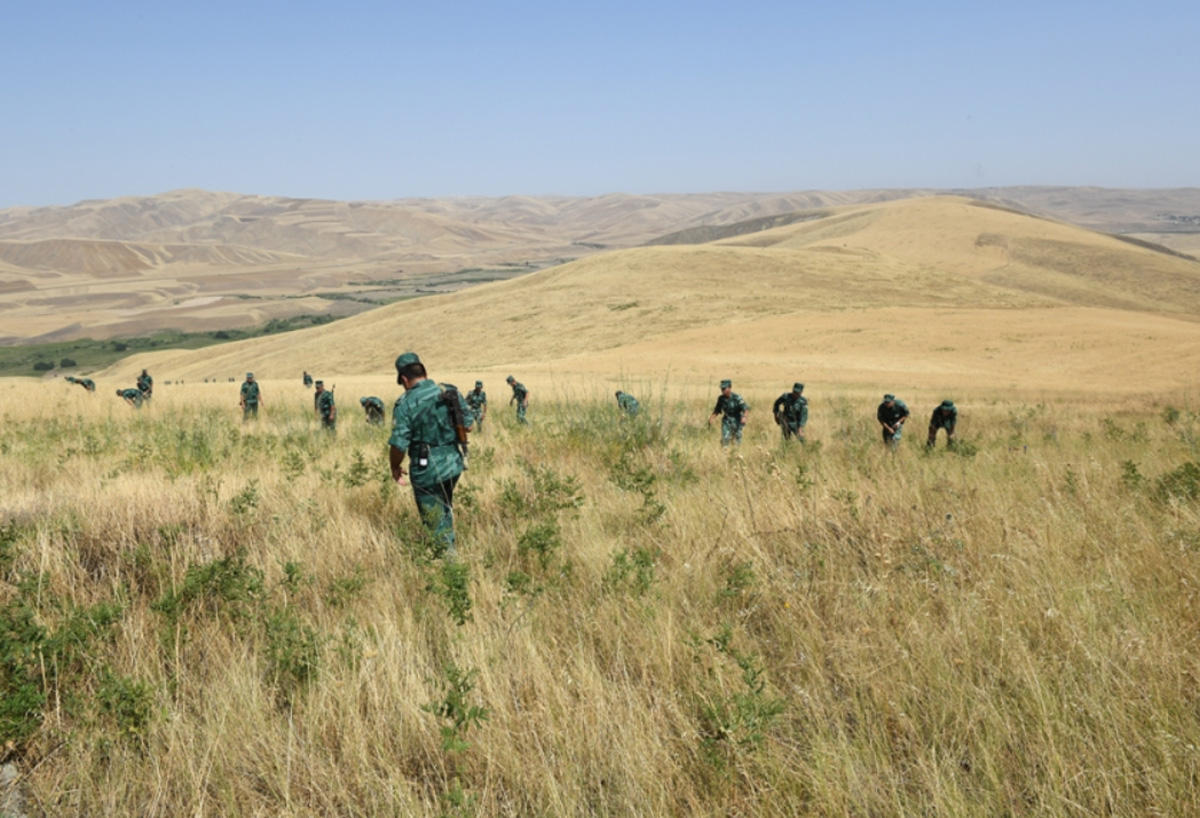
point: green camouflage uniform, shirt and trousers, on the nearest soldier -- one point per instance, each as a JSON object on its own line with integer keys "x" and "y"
{"x": 423, "y": 429}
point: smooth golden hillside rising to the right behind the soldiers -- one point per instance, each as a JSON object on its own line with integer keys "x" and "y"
{"x": 925, "y": 292}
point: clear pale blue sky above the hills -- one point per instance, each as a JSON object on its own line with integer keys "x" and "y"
{"x": 393, "y": 100}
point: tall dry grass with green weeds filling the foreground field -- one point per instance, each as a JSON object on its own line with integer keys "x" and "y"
{"x": 656, "y": 625}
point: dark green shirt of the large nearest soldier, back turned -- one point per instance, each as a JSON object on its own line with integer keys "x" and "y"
{"x": 421, "y": 420}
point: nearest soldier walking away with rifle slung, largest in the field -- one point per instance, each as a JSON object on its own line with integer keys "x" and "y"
{"x": 427, "y": 429}
